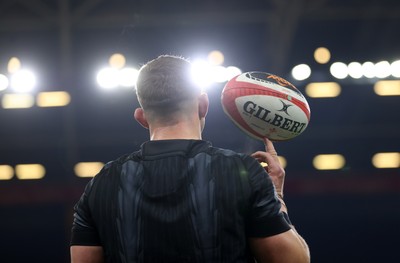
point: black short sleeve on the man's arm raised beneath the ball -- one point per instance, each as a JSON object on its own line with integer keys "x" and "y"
{"x": 265, "y": 218}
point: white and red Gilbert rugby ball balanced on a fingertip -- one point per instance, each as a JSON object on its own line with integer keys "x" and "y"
{"x": 265, "y": 105}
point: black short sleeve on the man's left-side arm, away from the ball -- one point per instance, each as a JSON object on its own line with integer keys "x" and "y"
{"x": 84, "y": 230}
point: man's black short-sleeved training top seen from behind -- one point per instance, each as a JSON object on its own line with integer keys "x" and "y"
{"x": 178, "y": 201}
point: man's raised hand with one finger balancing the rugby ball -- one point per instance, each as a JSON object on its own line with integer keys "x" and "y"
{"x": 273, "y": 168}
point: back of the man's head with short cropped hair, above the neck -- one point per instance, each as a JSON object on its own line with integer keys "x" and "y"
{"x": 165, "y": 86}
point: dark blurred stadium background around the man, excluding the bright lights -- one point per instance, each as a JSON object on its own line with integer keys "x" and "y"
{"x": 347, "y": 215}
